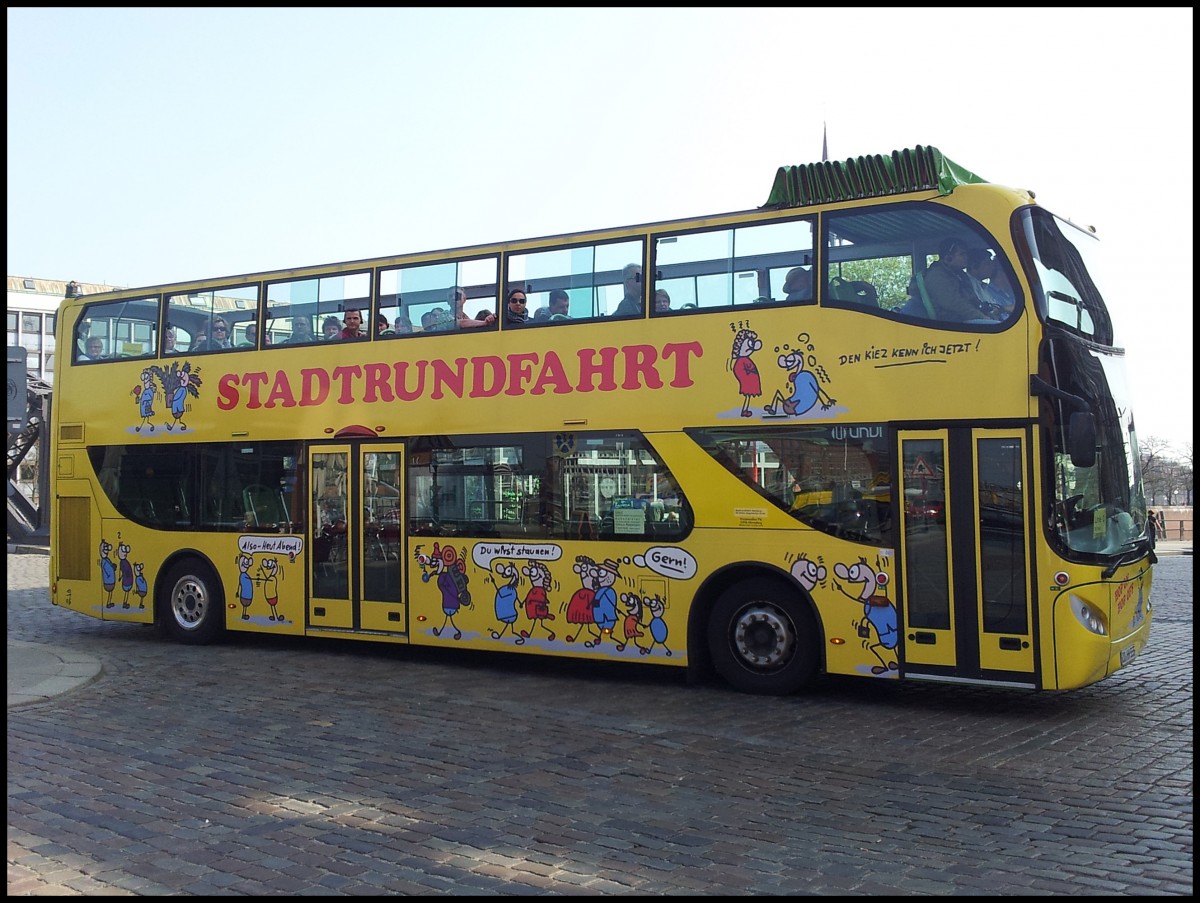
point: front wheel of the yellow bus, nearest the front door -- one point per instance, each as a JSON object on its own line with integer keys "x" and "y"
{"x": 764, "y": 638}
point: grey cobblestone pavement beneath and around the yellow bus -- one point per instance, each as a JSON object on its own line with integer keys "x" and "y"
{"x": 268, "y": 767}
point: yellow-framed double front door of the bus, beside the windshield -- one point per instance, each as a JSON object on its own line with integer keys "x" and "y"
{"x": 967, "y": 602}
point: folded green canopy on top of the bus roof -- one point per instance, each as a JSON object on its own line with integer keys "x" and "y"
{"x": 919, "y": 169}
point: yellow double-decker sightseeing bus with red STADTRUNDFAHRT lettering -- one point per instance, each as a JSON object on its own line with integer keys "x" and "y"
{"x": 877, "y": 427}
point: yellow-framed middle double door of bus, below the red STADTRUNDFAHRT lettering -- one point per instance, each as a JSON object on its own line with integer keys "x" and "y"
{"x": 356, "y": 537}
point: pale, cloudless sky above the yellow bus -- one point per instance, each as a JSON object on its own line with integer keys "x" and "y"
{"x": 159, "y": 146}
